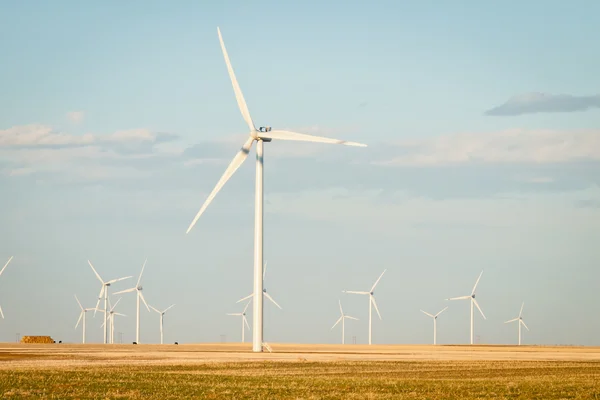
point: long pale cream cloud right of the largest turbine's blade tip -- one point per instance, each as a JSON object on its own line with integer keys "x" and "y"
{"x": 505, "y": 147}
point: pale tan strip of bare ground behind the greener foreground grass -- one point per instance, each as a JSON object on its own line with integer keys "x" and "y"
{"x": 14, "y": 355}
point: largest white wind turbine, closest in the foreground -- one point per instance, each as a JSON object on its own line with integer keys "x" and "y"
{"x": 261, "y": 135}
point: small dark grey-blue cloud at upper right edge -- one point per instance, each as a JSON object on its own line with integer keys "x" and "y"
{"x": 530, "y": 103}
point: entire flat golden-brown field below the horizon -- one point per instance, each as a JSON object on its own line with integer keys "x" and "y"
{"x": 222, "y": 371}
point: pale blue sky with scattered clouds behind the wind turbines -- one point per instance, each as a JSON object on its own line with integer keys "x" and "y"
{"x": 483, "y": 125}
